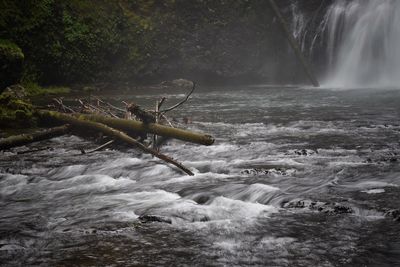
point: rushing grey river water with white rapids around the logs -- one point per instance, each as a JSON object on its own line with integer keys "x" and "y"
{"x": 297, "y": 177}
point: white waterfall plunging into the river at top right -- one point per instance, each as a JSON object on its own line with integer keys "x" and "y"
{"x": 362, "y": 41}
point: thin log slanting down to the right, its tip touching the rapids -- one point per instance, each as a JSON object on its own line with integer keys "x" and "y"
{"x": 83, "y": 123}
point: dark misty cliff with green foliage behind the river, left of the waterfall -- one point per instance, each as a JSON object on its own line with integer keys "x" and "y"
{"x": 147, "y": 41}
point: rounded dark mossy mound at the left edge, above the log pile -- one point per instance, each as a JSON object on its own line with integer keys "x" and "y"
{"x": 11, "y": 60}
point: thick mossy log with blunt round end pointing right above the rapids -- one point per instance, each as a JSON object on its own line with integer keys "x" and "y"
{"x": 153, "y": 128}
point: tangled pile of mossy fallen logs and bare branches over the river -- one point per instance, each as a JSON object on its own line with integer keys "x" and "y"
{"x": 90, "y": 119}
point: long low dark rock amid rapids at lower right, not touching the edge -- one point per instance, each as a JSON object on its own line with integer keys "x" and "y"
{"x": 325, "y": 207}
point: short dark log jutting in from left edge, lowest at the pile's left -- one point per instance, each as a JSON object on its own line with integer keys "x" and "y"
{"x": 24, "y": 139}
